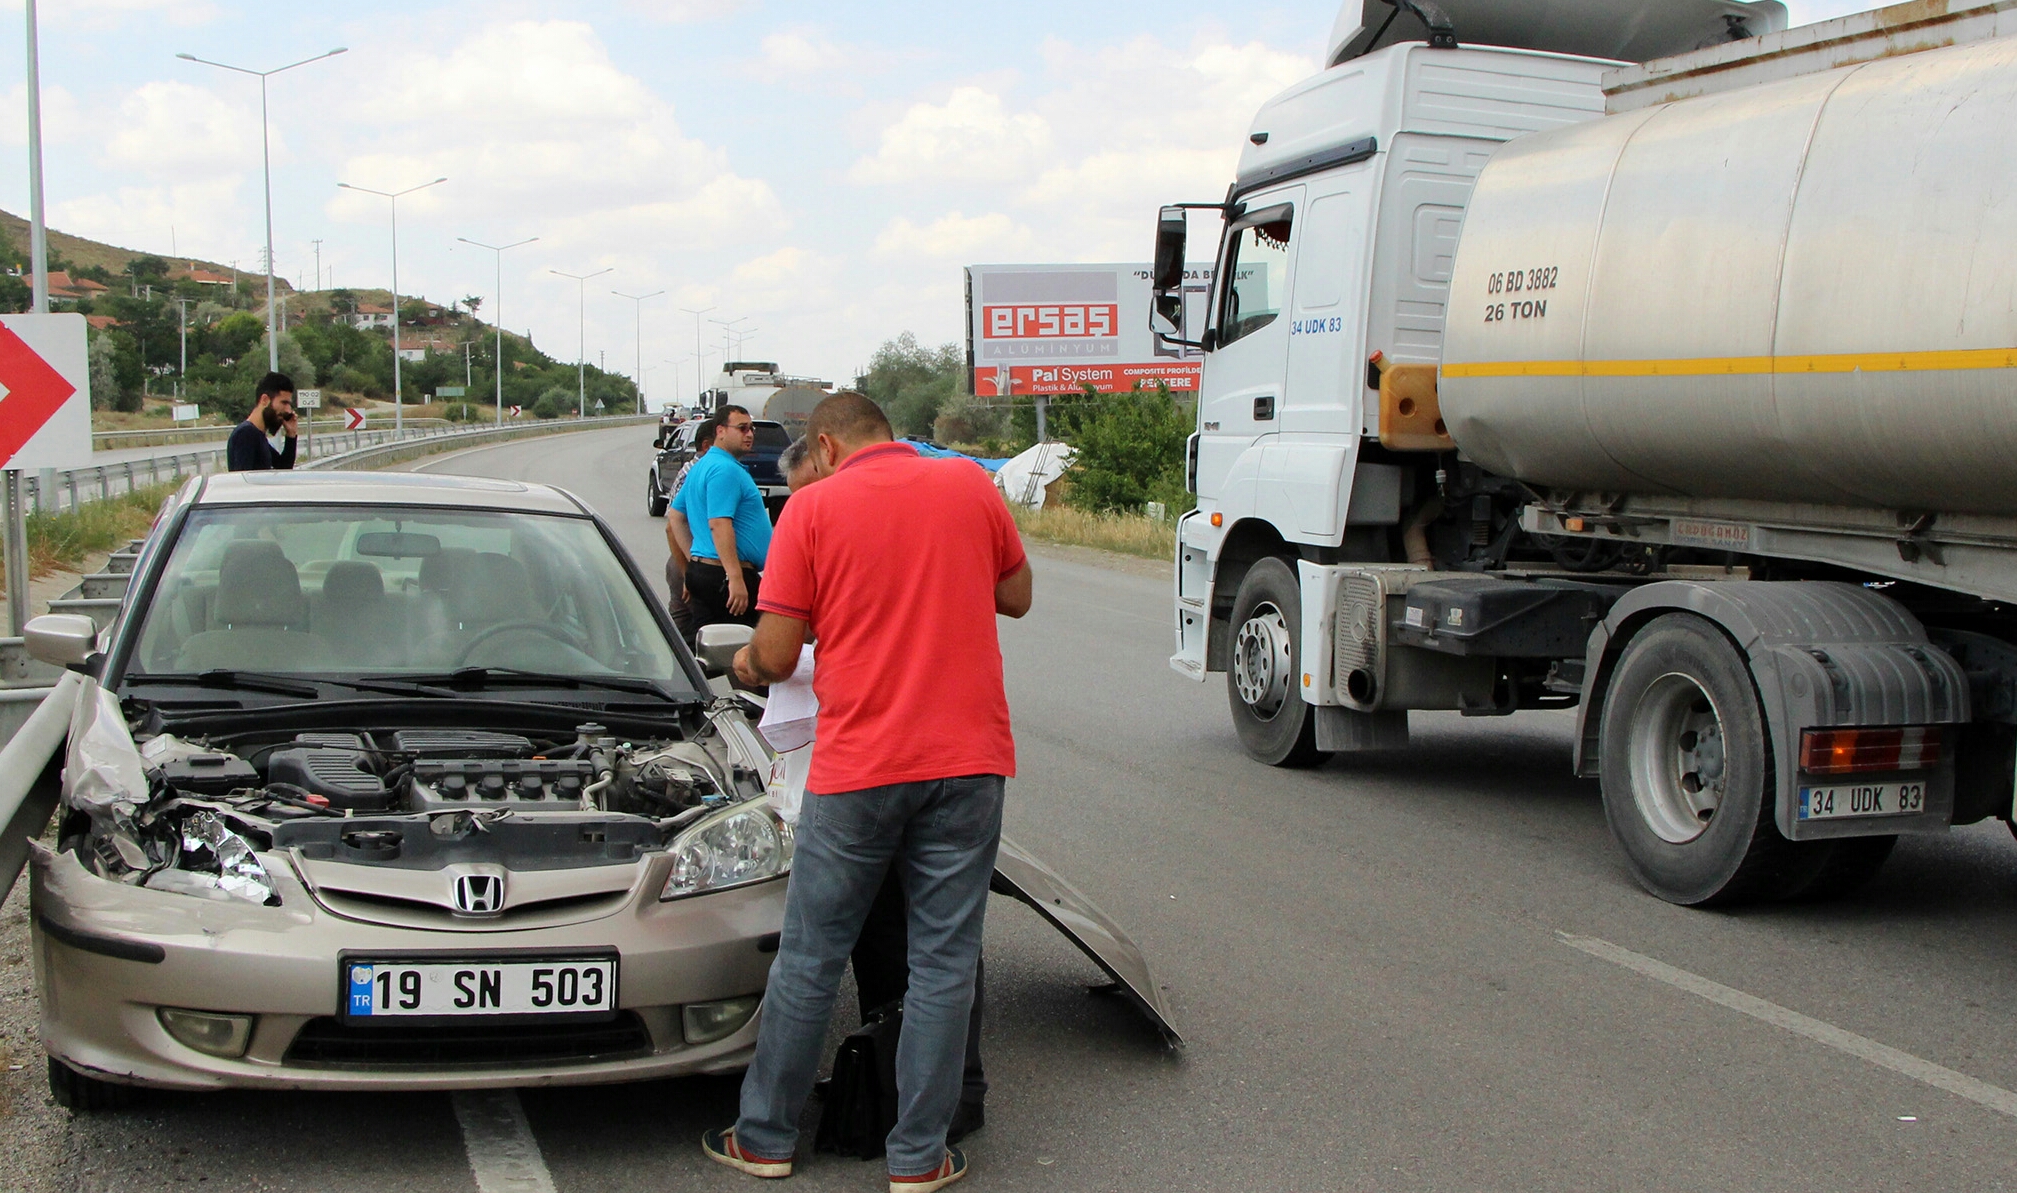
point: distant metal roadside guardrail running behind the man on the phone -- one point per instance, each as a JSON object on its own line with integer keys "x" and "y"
{"x": 53, "y": 490}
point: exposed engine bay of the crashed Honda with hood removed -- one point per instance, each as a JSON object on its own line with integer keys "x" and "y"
{"x": 404, "y": 798}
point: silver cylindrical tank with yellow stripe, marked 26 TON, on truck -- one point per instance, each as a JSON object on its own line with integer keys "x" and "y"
{"x": 1794, "y": 292}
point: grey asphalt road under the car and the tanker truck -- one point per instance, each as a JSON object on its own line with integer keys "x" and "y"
{"x": 1423, "y": 970}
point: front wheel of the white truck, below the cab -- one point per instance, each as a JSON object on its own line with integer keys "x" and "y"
{"x": 1266, "y": 669}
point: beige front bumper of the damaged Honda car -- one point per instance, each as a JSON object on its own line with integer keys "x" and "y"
{"x": 110, "y": 956}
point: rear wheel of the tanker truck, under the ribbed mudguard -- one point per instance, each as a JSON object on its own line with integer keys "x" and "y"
{"x": 1687, "y": 772}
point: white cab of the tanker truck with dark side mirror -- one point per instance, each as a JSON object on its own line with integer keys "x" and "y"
{"x": 1338, "y": 239}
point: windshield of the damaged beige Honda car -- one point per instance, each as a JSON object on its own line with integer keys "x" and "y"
{"x": 372, "y": 590}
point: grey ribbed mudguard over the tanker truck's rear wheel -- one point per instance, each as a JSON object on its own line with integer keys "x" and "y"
{"x": 1824, "y": 655}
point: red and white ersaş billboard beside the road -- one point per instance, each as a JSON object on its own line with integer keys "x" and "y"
{"x": 1060, "y": 328}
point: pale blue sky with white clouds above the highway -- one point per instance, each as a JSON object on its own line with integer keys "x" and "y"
{"x": 820, "y": 177}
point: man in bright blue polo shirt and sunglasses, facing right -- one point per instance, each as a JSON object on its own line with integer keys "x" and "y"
{"x": 731, "y": 526}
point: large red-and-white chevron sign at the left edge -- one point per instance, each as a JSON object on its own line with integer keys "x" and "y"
{"x": 45, "y": 393}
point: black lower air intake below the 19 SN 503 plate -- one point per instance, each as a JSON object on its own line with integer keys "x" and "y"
{"x": 330, "y": 1043}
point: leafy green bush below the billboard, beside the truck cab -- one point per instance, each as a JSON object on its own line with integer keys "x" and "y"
{"x": 1131, "y": 451}
